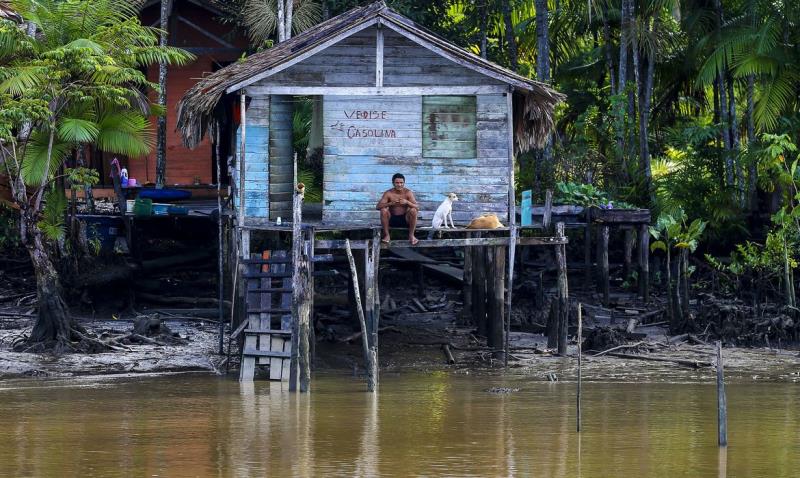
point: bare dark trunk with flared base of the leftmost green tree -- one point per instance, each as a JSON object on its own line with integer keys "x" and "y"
{"x": 53, "y": 323}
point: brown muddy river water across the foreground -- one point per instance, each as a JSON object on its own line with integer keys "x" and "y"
{"x": 420, "y": 424}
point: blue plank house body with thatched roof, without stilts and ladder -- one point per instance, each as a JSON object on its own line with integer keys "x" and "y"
{"x": 389, "y": 96}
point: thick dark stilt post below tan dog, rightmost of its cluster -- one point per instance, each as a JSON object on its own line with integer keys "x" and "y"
{"x": 495, "y": 288}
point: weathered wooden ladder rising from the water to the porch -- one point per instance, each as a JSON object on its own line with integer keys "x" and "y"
{"x": 268, "y": 311}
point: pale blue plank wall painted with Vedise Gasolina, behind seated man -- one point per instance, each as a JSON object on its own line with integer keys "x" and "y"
{"x": 363, "y": 151}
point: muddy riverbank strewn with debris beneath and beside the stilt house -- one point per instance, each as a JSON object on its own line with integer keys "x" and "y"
{"x": 171, "y": 327}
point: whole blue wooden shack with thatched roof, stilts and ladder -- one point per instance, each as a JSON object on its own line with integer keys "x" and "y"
{"x": 388, "y": 96}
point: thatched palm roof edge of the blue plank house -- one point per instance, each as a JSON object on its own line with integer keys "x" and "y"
{"x": 533, "y": 101}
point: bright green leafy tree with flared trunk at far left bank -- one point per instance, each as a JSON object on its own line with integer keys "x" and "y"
{"x": 78, "y": 80}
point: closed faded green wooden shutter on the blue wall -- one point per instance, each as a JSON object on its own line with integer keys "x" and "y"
{"x": 449, "y": 125}
